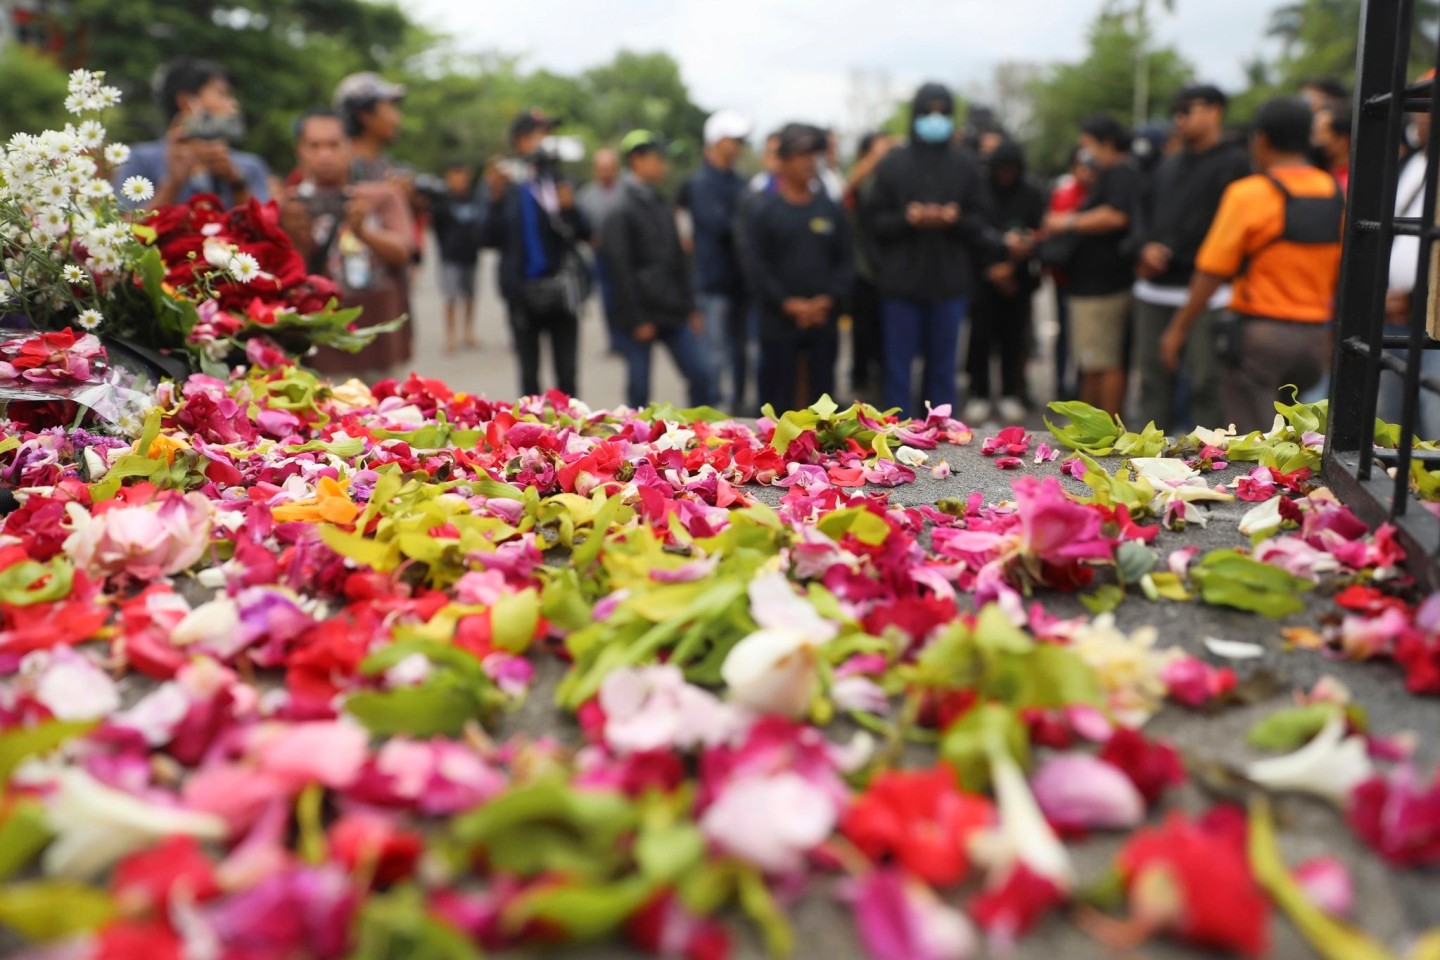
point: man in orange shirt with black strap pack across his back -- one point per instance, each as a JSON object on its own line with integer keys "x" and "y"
{"x": 1278, "y": 237}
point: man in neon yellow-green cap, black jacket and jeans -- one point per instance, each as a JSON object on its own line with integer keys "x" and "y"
{"x": 647, "y": 266}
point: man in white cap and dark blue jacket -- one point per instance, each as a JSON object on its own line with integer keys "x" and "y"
{"x": 714, "y": 199}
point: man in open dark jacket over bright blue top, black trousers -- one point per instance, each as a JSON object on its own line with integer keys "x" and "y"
{"x": 536, "y": 225}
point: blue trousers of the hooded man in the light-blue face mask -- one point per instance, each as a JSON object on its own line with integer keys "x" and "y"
{"x": 930, "y": 329}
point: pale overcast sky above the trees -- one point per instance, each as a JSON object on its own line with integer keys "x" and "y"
{"x": 796, "y": 60}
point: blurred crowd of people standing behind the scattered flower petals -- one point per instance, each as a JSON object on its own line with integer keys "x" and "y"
{"x": 1193, "y": 261}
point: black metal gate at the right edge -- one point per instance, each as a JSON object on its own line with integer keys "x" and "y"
{"x": 1376, "y": 481}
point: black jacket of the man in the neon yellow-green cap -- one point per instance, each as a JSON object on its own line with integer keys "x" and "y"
{"x": 647, "y": 268}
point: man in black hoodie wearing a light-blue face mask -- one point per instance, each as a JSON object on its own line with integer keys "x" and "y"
{"x": 927, "y": 217}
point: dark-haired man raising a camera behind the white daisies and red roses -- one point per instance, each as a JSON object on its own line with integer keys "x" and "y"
{"x": 197, "y": 155}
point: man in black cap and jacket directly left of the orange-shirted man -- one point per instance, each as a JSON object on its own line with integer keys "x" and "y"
{"x": 1171, "y": 225}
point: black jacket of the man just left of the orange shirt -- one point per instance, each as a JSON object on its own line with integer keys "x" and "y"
{"x": 1182, "y": 201}
